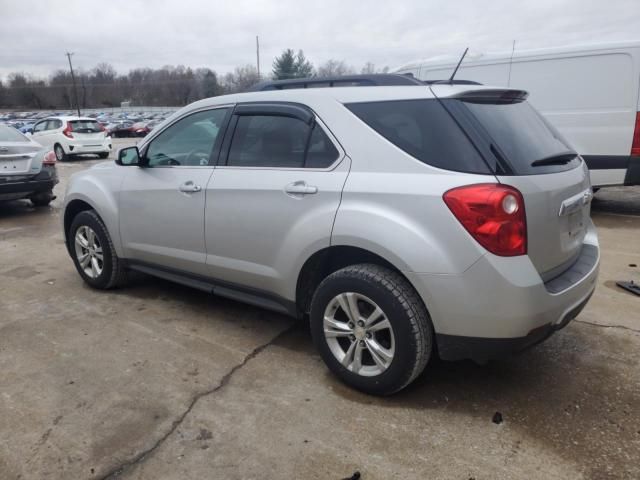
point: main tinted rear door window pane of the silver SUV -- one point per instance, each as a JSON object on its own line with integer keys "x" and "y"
{"x": 268, "y": 141}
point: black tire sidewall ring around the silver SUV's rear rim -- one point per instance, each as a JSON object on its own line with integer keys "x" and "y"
{"x": 405, "y": 357}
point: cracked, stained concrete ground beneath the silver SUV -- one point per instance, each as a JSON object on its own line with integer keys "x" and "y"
{"x": 158, "y": 381}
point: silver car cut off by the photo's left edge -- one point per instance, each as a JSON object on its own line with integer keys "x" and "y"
{"x": 27, "y": 169}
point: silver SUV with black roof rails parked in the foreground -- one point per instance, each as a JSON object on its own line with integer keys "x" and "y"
{"x": 404, "y": 220}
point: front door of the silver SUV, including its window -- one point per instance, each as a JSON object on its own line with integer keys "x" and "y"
{"x": 162, "y": 203}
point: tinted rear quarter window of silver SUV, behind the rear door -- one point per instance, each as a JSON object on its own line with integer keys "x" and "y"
{"x": 423, "y": 129}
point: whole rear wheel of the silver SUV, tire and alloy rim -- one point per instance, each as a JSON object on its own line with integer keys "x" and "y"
{"x": 409, "y": 338}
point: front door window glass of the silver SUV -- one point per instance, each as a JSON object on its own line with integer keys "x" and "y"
{"x": 188, "y": 142}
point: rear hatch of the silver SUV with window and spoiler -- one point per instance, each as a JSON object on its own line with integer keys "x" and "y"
{"x": 526, "y": 152}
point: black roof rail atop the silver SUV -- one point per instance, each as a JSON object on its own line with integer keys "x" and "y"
{"x": 374, "y": 80}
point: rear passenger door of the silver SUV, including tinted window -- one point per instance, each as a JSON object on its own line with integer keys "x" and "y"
{"x": 274, "y": 196}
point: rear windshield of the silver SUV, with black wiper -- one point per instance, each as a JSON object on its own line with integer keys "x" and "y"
{"x": 522, "y": 135}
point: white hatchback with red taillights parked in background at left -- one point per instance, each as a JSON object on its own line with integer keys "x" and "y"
{"x": 69, "y": 135}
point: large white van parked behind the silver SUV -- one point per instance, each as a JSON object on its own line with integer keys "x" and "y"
{"x": 591, "y": 94}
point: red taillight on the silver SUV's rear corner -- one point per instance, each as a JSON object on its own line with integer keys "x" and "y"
{"x": 494, "y": 216}
